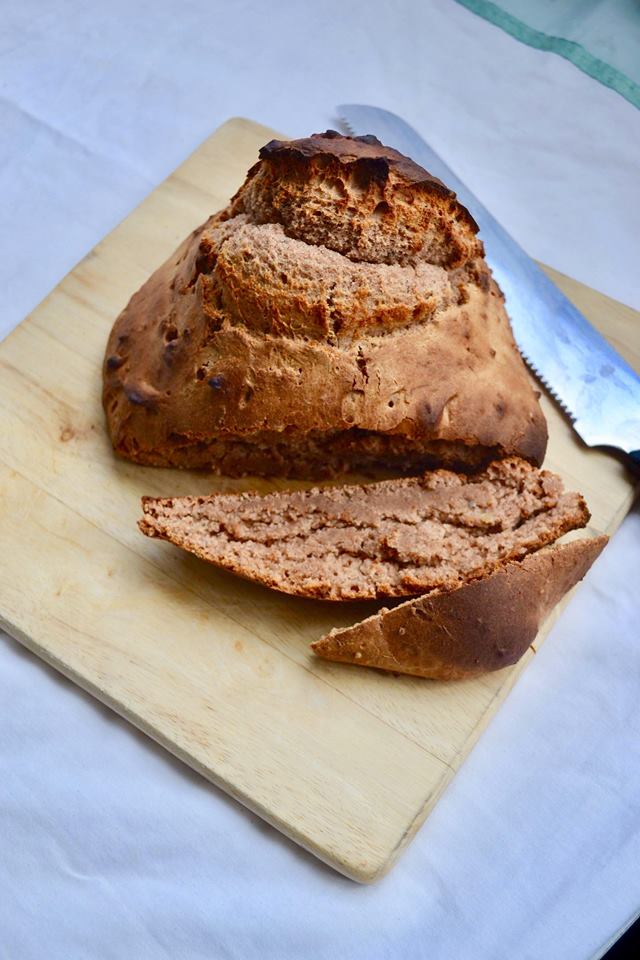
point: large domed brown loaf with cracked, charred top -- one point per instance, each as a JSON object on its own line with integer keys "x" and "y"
{"x": 338, "y": 314}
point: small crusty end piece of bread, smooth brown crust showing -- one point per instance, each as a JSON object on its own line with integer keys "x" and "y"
{"x": 479, "y": 626}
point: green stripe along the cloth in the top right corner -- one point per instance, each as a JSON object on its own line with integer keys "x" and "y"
{"x": 574, "y": 52}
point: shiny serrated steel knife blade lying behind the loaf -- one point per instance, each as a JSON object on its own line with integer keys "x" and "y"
{"x": 597, "y": 389}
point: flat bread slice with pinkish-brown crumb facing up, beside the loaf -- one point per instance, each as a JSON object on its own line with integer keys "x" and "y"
{"x": 393, "y": 538}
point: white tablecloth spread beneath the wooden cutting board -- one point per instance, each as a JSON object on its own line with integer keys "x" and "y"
{"x": 108, "y": 847}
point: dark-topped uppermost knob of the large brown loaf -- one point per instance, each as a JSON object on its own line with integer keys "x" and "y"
{"x": 356, "y": 196}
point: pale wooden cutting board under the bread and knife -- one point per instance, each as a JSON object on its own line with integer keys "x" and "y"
{"x": 347, "y": 762}
